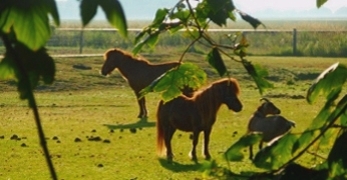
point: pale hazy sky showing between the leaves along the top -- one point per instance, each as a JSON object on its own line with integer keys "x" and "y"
{"x": 145, "y": 9}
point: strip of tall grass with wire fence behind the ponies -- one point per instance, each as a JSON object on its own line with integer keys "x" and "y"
{"x": 271, "y": 42}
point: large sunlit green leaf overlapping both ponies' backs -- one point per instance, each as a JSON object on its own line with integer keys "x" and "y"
{"x": 171, "y": 83}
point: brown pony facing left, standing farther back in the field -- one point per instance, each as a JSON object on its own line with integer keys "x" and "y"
{"x": 137, "y": 71}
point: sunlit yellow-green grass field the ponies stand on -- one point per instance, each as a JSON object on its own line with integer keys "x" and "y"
{"x": 92, "y": 131}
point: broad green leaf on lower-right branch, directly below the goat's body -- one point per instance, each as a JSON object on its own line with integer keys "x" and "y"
{"x": 276, "y": 155}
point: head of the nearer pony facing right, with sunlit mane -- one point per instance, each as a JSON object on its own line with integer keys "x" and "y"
{"x": 230, "y": 90}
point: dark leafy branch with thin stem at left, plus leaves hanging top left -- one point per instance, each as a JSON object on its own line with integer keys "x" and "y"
{"x": 24, "y": 30}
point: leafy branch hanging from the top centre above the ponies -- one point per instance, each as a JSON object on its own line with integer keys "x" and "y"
{"x": 194, "y": 19}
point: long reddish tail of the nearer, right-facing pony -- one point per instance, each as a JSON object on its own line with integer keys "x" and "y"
{"x": 161, "y": 148}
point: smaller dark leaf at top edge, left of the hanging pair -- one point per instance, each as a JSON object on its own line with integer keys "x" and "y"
{"x": 88, "y": 10}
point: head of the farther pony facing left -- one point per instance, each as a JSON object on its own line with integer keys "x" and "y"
{"x": 111, "y": 62}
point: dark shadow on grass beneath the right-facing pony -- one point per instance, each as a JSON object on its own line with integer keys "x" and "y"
{"x": 177, "y": 167}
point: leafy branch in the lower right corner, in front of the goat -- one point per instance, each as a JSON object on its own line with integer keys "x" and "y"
{"x": 329, "y": 122}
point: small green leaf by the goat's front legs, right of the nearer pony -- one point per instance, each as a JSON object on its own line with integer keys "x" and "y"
{"x": 236, "y": 151}
